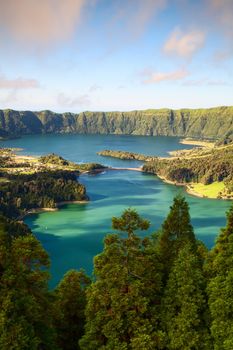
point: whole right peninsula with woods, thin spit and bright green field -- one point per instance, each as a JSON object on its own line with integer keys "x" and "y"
{"x": 205, "y": 171}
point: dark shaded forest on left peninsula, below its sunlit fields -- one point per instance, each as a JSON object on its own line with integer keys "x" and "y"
{"x": 40, "y": 190}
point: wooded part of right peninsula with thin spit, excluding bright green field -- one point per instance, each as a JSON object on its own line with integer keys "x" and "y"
{"x": 198, "y": 165}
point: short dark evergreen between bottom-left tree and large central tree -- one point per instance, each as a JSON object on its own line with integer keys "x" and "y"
{"x": 70, "y": 305}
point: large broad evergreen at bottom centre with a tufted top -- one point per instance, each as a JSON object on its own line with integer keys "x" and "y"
{"x": 122, "y": 303}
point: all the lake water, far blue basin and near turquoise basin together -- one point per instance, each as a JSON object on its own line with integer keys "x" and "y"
{"x": 74, "y": 234}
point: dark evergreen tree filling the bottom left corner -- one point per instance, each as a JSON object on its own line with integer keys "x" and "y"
{"x": 25, "y": 311}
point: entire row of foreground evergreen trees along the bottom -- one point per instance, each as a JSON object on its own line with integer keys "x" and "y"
{"x": 162, "y": 291}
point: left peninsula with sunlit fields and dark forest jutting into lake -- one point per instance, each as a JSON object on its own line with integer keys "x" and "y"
{"x": 30, "y": 184}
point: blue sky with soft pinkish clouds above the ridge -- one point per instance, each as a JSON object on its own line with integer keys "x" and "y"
{"x": 107, "y": 55}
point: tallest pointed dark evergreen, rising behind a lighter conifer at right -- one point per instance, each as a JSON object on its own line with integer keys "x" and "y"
{"x": 176, "y": 231}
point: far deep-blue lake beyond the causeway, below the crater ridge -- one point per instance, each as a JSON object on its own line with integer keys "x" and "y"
{"x": 83, "y": 148}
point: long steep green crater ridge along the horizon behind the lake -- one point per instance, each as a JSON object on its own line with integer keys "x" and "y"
{"x": 216, "y": 123}
